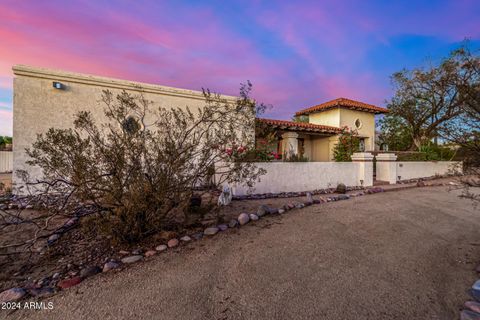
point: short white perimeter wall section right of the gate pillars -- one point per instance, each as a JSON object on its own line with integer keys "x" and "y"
{"x": 422, "y": 169}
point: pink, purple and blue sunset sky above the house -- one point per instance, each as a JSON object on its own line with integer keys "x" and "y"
{"x": 295, "y": 53}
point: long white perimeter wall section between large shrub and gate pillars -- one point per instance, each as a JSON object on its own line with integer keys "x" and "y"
{"x": 304, "y": 176}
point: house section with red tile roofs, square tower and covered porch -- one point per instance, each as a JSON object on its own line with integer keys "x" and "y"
{"x": 317, "y": 134}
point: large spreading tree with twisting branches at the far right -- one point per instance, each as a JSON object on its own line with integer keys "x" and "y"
{"x": 429, "y": 98}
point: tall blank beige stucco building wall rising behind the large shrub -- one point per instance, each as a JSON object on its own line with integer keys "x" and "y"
{"x": 37, "y": 106}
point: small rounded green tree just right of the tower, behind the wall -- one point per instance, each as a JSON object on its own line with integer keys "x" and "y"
{"x": 394, "y": 132}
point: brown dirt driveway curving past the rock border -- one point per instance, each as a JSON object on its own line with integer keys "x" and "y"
{"x": 402, "y": 255}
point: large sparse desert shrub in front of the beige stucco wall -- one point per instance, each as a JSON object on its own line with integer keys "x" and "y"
{"x": 138, "y": 170}
